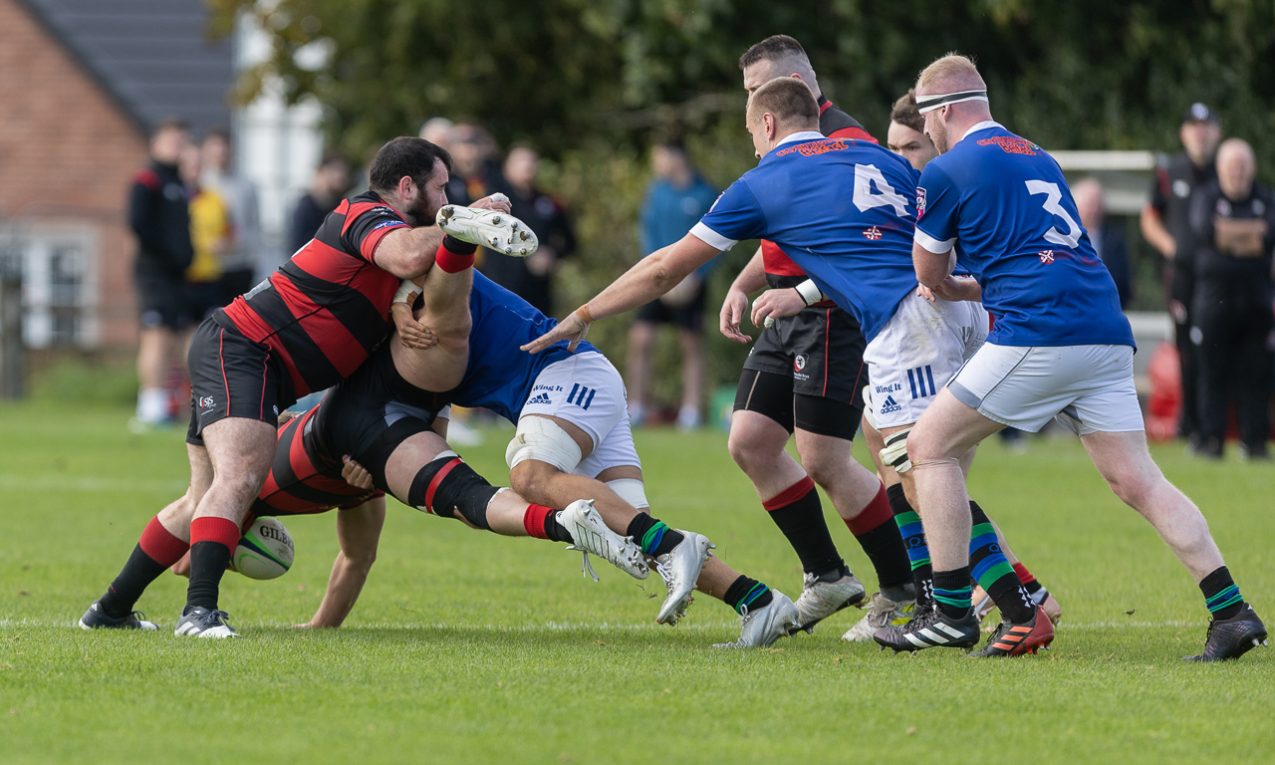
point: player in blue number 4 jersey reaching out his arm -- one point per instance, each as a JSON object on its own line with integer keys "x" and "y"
{"x": 843, "y": 211}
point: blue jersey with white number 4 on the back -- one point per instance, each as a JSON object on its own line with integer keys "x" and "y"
{"x": 842, "y": 210}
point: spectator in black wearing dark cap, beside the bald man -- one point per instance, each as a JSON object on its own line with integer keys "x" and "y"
{"x": 1165, "y": 226}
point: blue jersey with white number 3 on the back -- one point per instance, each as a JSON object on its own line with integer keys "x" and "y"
{"x": 1004, "y": 205}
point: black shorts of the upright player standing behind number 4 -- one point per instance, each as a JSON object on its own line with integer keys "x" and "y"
{"x": 808, "y": 372}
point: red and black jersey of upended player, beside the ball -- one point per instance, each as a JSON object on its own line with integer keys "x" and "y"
{"x": 303, "y": 481}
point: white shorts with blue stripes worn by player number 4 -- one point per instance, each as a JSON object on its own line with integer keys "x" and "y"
{"x": 916, "y": 354}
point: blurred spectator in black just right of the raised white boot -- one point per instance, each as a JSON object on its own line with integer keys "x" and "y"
{"x": 532, "y": 277}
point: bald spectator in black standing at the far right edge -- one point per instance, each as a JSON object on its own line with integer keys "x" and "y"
{"x": 1232, "y": 224}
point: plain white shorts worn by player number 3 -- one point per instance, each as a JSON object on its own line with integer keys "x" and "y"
{"x": 1088, "y": 388}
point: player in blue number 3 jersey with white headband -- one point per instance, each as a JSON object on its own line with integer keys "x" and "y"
{"x": 1061, "y": 347}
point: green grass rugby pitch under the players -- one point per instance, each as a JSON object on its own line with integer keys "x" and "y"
{"x": 470, "y": 648}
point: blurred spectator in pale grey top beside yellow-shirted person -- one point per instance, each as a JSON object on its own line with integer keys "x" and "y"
{"x": 243, "y": 248}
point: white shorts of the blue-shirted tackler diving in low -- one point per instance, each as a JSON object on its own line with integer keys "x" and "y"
{"x": 588, "y": 392}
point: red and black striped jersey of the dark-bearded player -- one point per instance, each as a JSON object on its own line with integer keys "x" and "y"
{"x": 327, "y": 309}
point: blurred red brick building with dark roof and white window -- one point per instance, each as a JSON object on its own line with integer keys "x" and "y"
{"x": 82, "y": 81}
